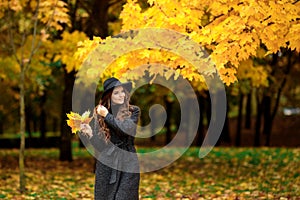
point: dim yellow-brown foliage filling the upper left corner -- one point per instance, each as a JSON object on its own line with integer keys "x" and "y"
{"x": 25, "y": 27}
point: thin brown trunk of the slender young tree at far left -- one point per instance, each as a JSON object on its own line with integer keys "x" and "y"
{"x": 22, "y": 130}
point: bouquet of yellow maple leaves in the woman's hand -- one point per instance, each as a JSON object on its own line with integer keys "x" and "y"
{"x": 76, "y": 119}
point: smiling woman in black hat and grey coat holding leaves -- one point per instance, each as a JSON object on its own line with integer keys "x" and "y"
{"x": 117, "y": 168}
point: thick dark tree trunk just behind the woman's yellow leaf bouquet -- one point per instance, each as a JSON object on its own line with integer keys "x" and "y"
{"x": 66, "y": 143}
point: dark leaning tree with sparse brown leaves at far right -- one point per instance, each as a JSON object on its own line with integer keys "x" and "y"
{"x": 280, "y": 66}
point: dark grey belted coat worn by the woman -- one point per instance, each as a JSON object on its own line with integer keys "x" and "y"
{"x": 117, "y": 167}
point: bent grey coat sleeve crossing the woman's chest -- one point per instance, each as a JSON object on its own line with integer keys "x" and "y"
{"x": 127, "y": 126}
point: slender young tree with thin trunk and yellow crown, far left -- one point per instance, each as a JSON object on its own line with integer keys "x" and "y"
{"x": 27, "y": 25}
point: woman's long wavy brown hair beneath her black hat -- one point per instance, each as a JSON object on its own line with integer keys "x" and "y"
{"x": 122, "y": 113}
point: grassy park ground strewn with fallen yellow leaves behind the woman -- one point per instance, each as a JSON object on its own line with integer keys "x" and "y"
{"x": 226, "y": 173}
